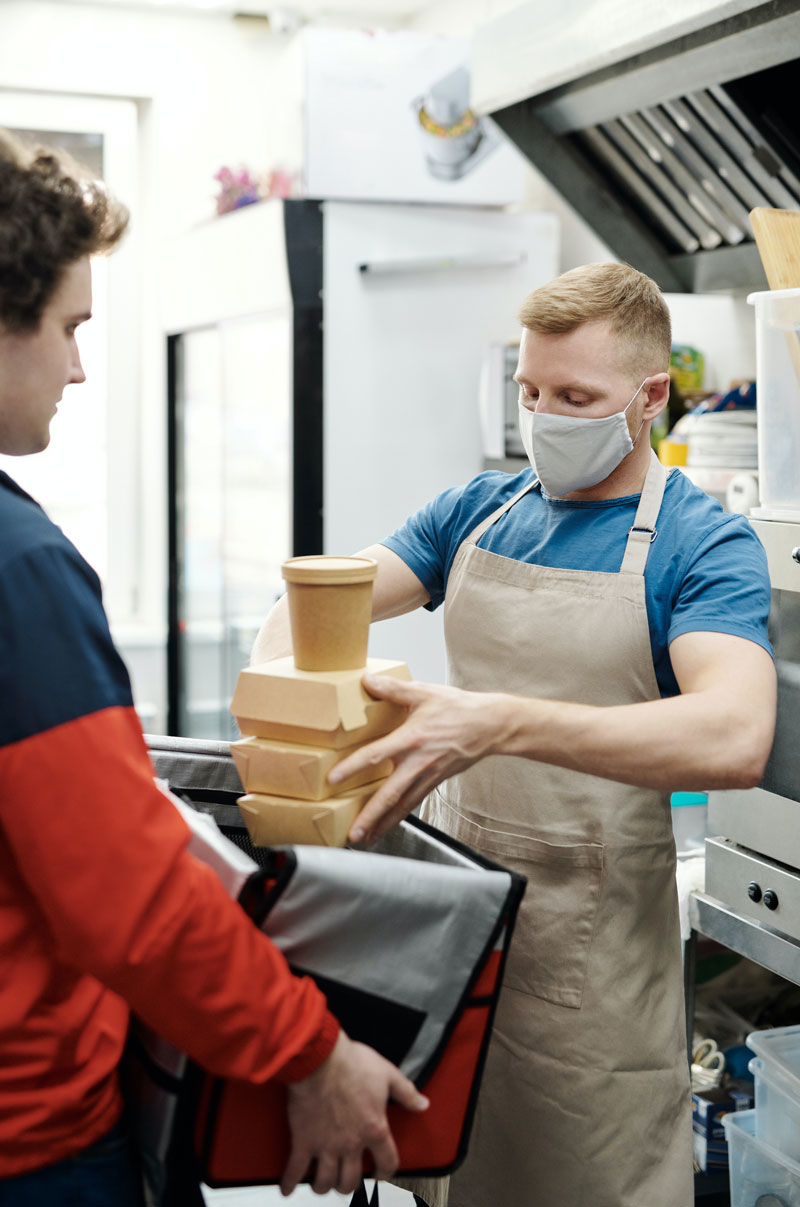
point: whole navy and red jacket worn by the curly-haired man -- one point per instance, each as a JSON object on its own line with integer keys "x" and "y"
{"x": 102, "y": 908}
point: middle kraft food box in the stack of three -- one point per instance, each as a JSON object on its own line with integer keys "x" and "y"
{"x": 290, "y": 769}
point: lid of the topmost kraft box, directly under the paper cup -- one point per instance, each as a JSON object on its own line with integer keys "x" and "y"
{"x": 279, "y": 692}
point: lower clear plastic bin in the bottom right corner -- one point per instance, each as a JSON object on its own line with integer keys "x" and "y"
{"x": 757, "y": 1169}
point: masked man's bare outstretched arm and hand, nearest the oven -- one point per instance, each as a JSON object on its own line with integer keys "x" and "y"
{"x": 716, "y": 734}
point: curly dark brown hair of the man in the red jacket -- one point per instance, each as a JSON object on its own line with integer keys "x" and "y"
{"x": 52, "y": 214}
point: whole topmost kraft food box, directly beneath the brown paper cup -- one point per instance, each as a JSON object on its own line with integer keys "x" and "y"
{"x": 328, "y": 709}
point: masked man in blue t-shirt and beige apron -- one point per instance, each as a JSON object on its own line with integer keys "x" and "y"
{"x": 606, "y": 633}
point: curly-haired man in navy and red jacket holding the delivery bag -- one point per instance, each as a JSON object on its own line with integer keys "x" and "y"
{"x": 102, "y": 908}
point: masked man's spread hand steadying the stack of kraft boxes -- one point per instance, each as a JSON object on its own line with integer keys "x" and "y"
{"x": 447, "y": 731}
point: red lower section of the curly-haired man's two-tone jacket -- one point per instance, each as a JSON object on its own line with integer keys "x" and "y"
{"x": 102, "y": 907}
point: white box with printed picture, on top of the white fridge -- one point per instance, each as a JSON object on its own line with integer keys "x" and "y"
{"x": 389, "y": 118}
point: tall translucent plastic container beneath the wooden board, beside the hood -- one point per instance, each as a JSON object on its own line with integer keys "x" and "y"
{"x": 778, "y": 372}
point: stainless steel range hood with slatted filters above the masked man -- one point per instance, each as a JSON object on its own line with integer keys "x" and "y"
{"x": 662, "y": 126}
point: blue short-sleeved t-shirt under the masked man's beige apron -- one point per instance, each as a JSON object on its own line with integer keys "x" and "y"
{"x": 706, "y": 569}
